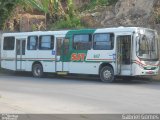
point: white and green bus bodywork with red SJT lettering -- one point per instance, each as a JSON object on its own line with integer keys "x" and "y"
{"x": 65, "y": 56}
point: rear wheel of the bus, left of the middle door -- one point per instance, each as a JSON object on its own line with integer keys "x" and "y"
{"x": 37, "y": 70}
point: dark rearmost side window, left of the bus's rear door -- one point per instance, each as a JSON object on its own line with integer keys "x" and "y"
{"x": 8, "y": 43}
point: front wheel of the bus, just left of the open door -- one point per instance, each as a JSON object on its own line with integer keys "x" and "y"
{"x": 107, "y": 74}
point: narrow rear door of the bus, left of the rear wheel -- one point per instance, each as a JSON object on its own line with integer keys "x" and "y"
{"x": 20, "y": 52}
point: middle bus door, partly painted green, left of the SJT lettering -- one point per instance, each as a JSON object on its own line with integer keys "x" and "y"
{"x": 62, "y": 51}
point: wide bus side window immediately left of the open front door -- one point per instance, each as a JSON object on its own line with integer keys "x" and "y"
{"x": 103, "y": 41}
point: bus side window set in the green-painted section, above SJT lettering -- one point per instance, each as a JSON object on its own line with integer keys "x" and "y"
{"x": 82, "y": 42}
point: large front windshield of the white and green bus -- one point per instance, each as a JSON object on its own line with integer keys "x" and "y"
{"x": 147, "y": 46}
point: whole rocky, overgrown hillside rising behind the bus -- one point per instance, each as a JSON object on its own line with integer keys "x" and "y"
{"x": 73, "y": 14}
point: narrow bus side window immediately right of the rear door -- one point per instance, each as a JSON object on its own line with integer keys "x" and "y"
{"x": 32, "y": 43}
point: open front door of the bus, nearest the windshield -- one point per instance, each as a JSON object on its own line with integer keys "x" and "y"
{"x": 124, "y": 55}
